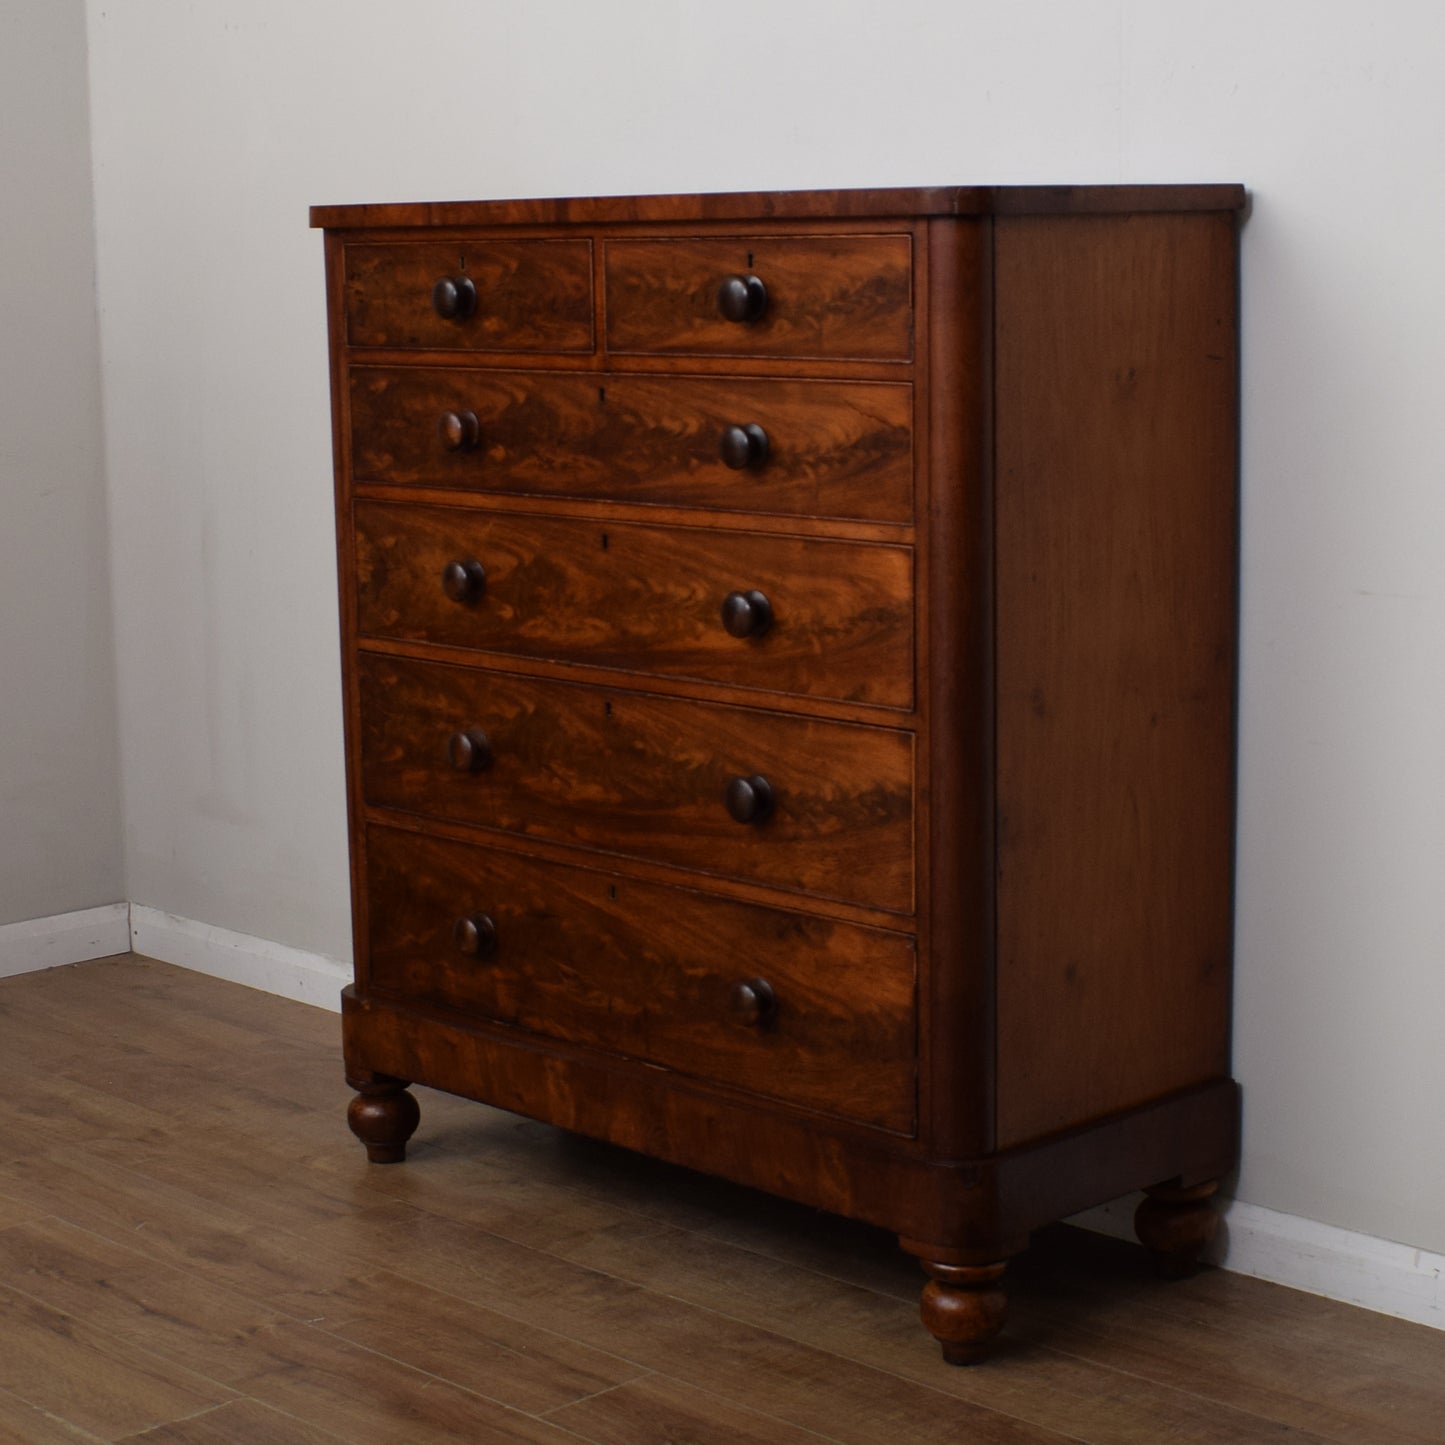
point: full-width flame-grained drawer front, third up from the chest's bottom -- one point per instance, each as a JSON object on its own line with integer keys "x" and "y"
{"x": 645, "y": 599}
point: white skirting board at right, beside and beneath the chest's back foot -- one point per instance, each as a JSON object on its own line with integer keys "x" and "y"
{"x": 1320, "y": 1259}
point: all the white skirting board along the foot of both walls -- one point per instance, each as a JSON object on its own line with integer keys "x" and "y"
{"x": 1320, "y": 1259}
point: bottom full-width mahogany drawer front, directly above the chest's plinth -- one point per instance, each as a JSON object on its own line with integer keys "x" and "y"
{"x": 650, "y": 972}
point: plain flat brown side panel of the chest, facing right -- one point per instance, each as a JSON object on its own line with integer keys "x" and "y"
{"x": 1116, "y": 563}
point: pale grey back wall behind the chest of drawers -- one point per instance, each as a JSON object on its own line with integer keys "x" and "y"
{"x": 217, "y": 125}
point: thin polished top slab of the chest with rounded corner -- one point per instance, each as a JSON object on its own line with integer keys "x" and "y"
{"x": 790, "y": 206}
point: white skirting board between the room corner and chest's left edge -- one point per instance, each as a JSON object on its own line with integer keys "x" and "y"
{"x": 241, "y": 959}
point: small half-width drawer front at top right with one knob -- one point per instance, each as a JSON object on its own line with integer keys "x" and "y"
{"x": 827, "y": 297}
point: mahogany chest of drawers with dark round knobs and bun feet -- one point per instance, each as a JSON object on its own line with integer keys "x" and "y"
{"x": 790, "y": 671}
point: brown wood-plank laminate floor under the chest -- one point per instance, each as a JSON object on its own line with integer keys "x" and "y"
{"x": 194, "y": 1252}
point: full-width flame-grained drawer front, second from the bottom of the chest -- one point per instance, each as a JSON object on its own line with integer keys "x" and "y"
{"x": 645, "y": 777}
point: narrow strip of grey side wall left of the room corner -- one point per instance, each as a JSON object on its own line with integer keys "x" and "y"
{"x": 60, "y": 801}
